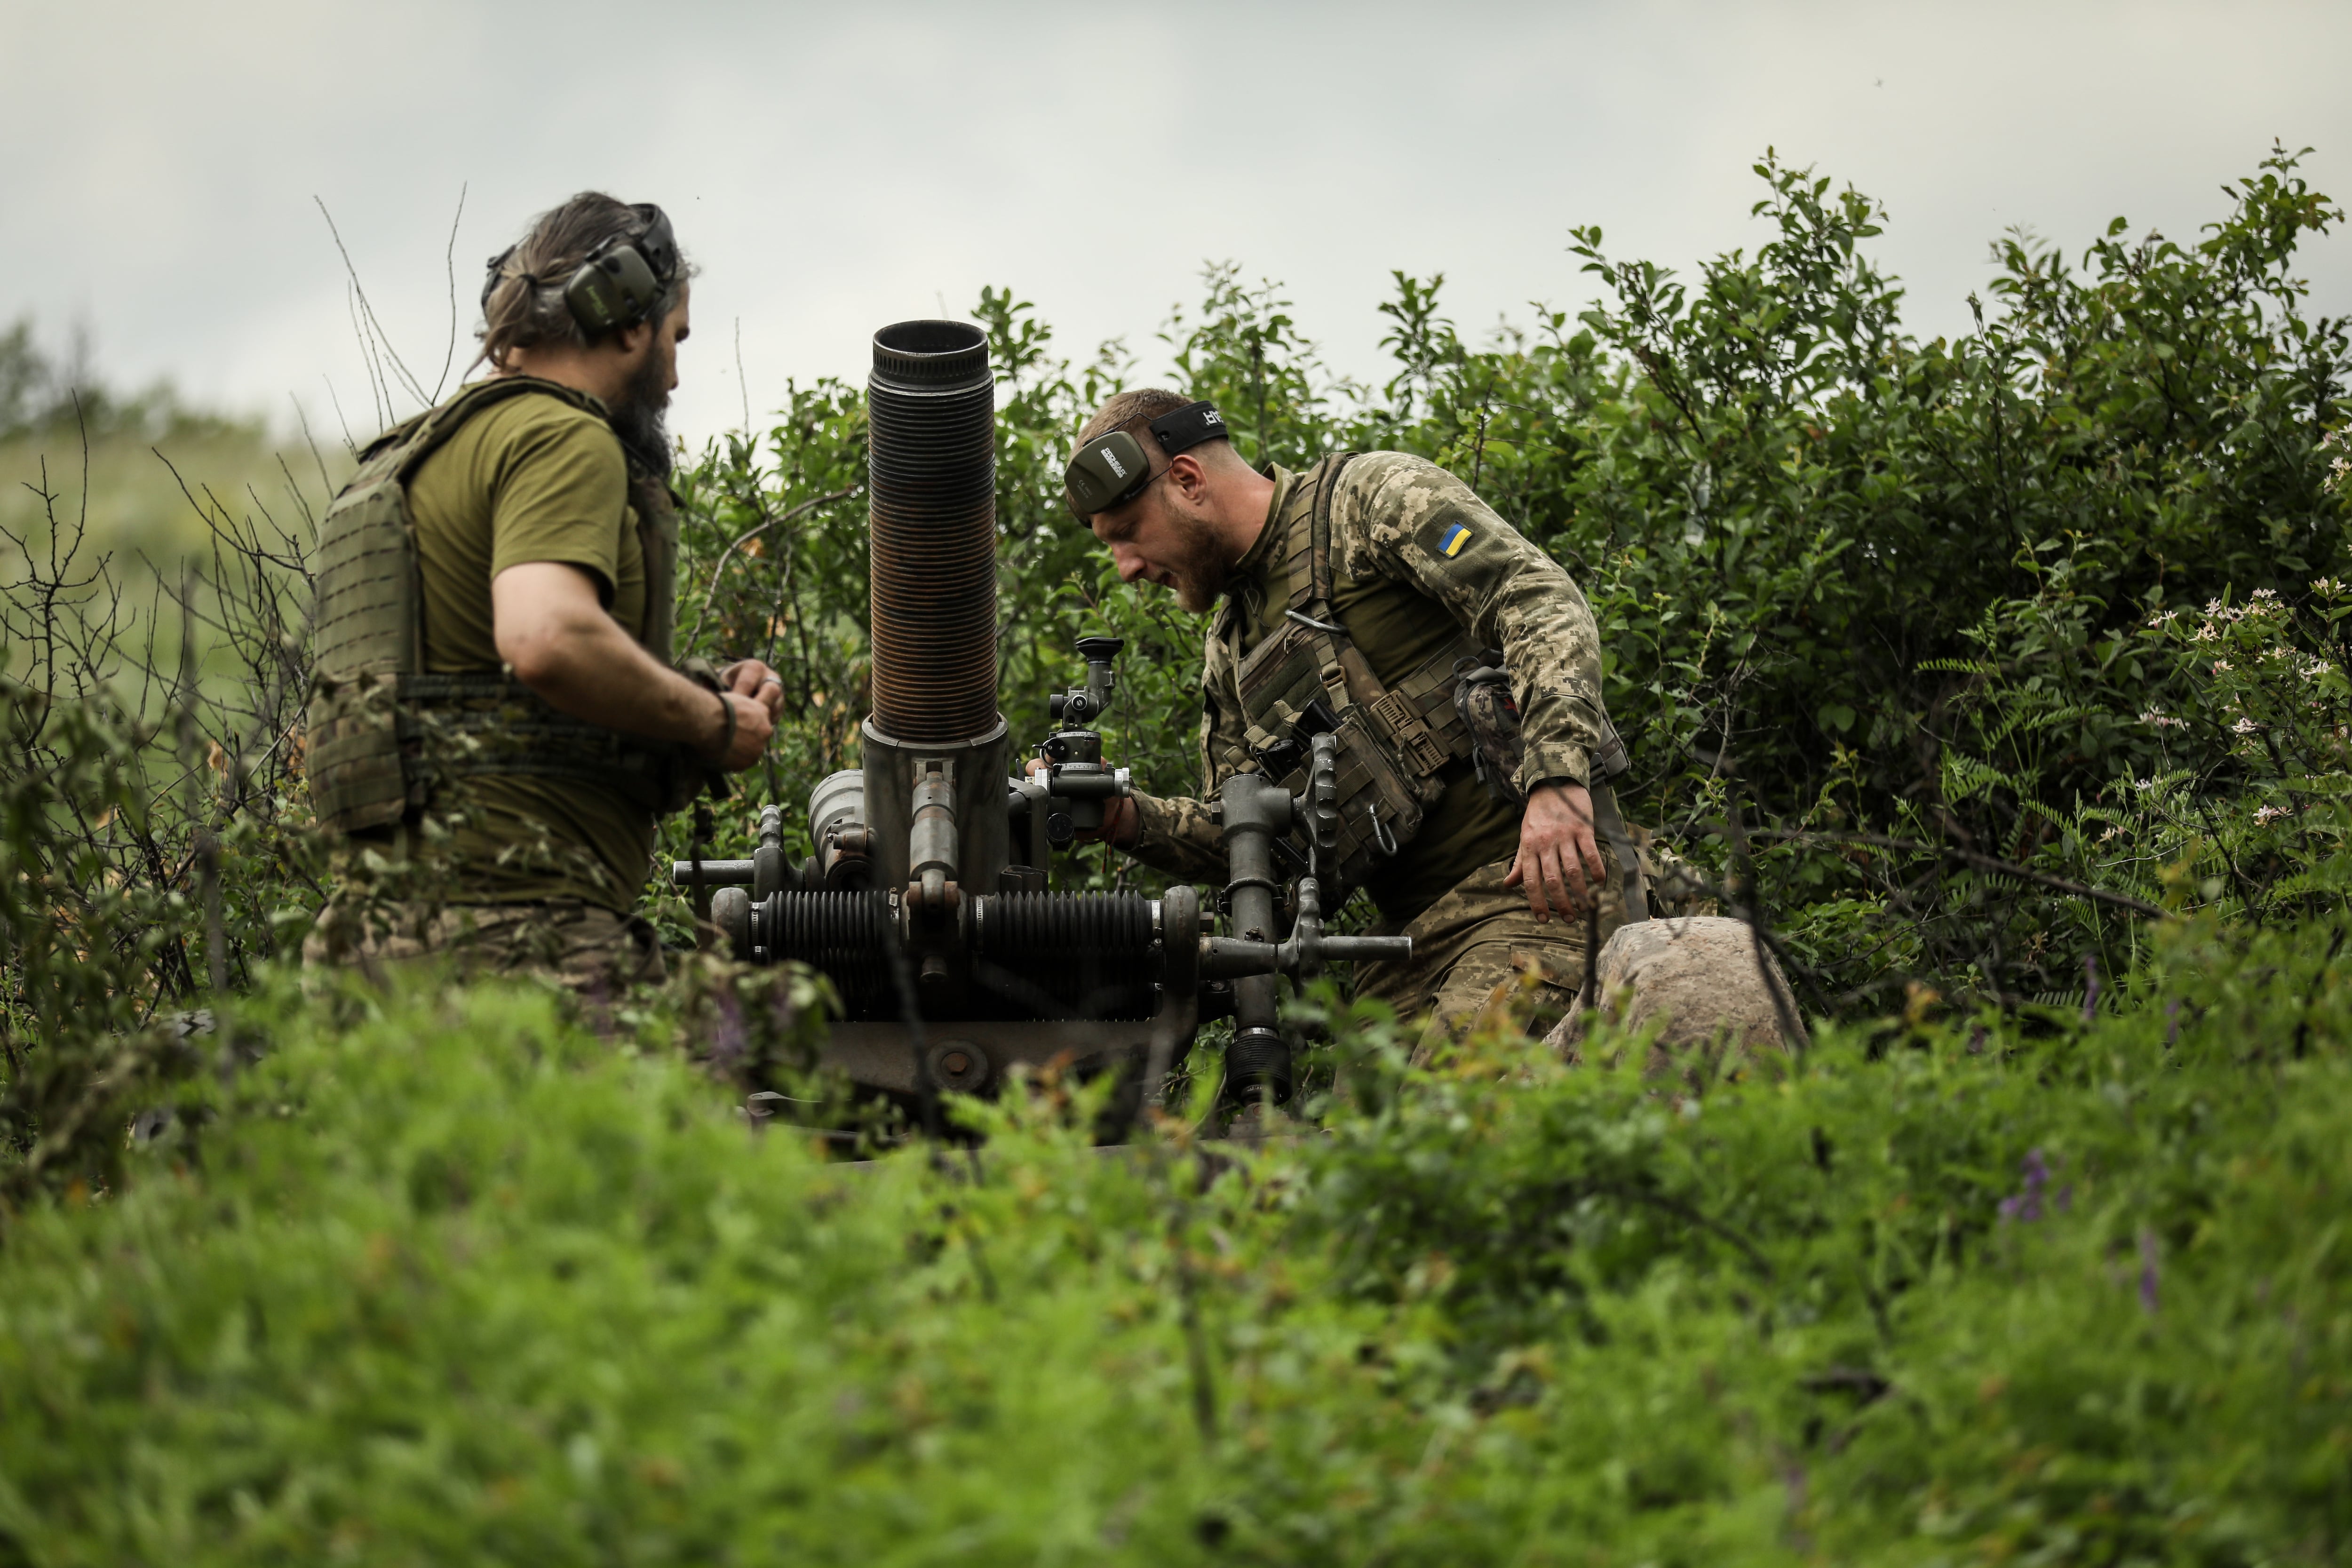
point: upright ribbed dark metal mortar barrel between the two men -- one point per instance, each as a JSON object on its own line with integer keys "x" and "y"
{"x": 933, "y": 485}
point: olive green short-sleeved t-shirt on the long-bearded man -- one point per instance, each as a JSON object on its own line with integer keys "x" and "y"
{"x": 530, "y": 481}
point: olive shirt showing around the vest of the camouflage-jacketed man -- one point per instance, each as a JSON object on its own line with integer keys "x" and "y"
{"x": 1396, "y": 629}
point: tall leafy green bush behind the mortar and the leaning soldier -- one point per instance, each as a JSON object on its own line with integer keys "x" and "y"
{"x": 1850, "y": 582}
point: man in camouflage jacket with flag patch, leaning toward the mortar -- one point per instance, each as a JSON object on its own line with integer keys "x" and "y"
{"x": 1377, "y": 598}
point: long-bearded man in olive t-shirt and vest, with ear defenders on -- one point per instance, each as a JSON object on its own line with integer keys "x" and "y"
{"x": 495, "y": 716}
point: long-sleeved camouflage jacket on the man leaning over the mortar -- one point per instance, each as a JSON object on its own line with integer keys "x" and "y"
{"x": 1405, "y": 521}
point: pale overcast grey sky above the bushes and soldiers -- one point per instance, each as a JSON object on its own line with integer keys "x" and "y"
{"x": 838, "y": 168}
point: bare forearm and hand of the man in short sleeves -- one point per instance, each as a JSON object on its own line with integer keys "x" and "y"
{"x": 554, "y": 631}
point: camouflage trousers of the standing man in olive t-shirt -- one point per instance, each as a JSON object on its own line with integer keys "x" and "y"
{"x": 580, "y": 946}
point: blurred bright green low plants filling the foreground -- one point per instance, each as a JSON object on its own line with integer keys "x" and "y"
{"x": 443, "y": 1280}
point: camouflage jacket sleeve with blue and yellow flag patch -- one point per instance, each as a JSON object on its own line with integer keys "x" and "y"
{"x": 1408, "y": 518}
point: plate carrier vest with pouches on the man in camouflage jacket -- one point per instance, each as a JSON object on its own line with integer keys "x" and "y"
{"x": 1394, "y": 742}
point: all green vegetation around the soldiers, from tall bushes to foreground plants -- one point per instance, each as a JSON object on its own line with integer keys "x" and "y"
{"x": 2000, "y": 678}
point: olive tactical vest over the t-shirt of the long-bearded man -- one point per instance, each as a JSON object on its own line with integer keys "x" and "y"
{"x": 380, "y": 730}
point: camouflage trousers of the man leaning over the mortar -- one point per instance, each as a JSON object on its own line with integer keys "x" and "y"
{"x": 1478, "y": 951}
